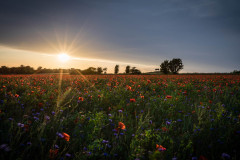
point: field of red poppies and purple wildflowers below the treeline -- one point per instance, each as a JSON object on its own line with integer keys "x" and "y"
{"x": 120, "y": 117}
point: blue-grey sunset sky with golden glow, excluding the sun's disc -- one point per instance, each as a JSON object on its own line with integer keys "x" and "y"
{"x": 205, "y": 34}
